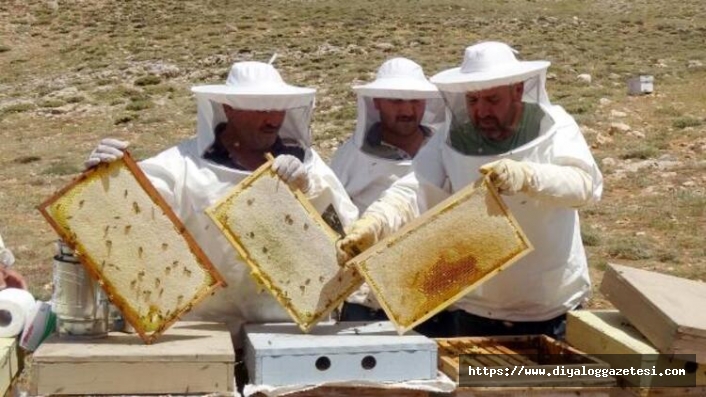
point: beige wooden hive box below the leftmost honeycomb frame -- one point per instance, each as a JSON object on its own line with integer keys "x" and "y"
{"x": 191, "y": 357}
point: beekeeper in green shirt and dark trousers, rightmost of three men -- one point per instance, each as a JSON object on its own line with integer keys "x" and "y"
{"x": 503, "y": 126}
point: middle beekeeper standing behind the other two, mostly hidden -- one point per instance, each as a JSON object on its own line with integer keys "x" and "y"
{"x": 397, "y": 114}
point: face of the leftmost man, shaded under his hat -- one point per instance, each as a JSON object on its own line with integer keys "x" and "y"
{"x": 255, "y": 129}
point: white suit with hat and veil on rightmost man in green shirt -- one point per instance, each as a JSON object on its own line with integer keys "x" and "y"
{"x": 559, "y": 175}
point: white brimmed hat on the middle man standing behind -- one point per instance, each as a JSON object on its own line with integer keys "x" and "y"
{"x": 399, "y": 78}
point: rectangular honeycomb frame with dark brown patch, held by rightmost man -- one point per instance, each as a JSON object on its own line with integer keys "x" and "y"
{"x": 439, "y": 257}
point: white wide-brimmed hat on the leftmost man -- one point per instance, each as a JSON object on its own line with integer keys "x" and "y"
{"x": 256, "y": 86}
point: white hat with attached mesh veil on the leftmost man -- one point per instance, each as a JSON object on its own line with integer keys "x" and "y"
{"x": 254, "y": 86}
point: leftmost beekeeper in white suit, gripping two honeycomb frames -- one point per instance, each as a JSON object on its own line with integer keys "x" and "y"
{"x": 253, "y": 113}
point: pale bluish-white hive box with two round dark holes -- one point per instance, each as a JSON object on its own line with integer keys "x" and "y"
{"x": 279, "y": 354}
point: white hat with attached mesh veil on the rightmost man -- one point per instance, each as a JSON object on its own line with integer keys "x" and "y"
{"x": 488, "y": 65}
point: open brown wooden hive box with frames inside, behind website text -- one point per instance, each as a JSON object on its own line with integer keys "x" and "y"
{"x": 518, "y": 353}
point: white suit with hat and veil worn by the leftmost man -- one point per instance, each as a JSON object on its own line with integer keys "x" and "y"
{"x": 190, "y": 183}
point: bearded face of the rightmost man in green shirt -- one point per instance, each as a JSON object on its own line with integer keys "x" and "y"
{"x": 493, "y": 111}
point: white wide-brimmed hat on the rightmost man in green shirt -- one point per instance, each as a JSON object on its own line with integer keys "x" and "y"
{"x": 486, "y": 65}
